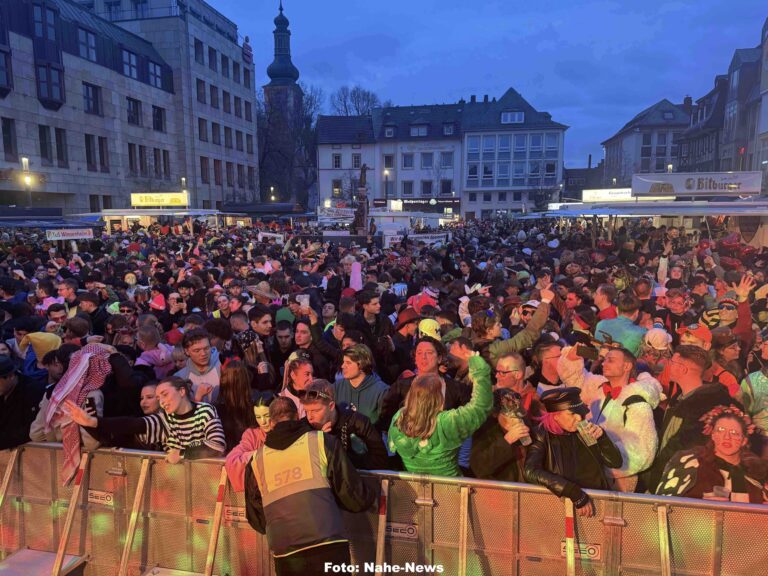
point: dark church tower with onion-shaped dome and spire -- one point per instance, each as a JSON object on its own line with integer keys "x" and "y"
{"x": 283, "y": 100}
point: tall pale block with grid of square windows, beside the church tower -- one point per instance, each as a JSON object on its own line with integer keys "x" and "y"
{"x": 213, "y": 84}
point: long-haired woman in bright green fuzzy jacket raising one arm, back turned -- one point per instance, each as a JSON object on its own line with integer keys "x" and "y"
{"x": 428, "y": 438}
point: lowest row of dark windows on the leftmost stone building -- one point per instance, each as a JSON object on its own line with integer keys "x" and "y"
{"x": 97, "y": 155}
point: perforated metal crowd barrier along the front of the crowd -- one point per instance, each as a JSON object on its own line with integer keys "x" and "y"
{"x": 136, "y": 514}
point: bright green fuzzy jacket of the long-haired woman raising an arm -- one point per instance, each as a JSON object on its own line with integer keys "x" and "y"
{"x": 438, "y": 454}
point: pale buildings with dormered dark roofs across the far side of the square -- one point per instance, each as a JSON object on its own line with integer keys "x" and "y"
{"x": 489, "y": 157}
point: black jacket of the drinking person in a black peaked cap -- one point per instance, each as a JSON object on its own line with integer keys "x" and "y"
{"x": 565, "y": 465}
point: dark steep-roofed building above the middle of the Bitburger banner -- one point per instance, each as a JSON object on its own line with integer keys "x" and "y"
{"x": 700, "y": 143}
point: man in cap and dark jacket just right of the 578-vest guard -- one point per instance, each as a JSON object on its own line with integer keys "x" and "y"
{"x": 358, "y": 437}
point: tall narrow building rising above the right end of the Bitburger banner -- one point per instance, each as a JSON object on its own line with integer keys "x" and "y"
{"x": 741, "y": 110}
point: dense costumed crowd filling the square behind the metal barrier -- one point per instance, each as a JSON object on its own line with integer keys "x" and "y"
{"x": 560, "y": 355}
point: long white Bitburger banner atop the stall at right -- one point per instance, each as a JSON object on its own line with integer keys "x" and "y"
{"x": 697, "y": 184}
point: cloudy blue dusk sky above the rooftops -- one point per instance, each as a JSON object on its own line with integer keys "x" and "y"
{"x": 591, "y": 64}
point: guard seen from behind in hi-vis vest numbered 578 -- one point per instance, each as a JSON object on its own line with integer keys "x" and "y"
{"x": 295, "y": 487}
